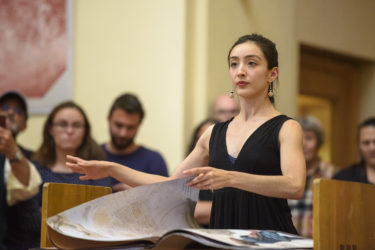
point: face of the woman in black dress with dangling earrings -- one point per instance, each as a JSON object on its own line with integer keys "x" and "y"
{"x": 248, "y": 71}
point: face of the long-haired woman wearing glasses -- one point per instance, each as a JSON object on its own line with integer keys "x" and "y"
{"x": 68, "y": 129}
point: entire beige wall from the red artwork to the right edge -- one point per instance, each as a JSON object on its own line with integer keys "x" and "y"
{"x": 172, "y": 53}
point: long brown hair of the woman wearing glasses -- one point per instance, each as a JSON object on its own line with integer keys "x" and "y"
{"x": 89, "y": 149}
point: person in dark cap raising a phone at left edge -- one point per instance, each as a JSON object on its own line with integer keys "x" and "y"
{"x": 19, "y": 179}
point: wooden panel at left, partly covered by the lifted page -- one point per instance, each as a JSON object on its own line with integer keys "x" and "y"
{"x": 58, "y": 197}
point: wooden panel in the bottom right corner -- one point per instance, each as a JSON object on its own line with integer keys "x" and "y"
{"x": 344, "y": 215}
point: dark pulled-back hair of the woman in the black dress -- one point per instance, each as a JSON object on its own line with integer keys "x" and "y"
{"x": 268, "y": 48}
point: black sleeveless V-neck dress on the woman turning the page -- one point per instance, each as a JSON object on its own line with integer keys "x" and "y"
{"x": 237, "y": 209}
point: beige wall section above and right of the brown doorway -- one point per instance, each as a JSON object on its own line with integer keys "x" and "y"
{"x": 345, "y": 27}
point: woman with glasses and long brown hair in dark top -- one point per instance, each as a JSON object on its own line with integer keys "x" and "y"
{"x": 66, "y": 131}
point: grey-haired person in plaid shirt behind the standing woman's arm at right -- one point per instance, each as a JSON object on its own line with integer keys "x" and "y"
{"x": 313, "y": 139}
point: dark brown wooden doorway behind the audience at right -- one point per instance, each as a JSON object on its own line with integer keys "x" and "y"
{"x": 329, "y": 90}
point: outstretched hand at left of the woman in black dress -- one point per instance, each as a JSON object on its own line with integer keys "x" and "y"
{"x": 91, "y": 170}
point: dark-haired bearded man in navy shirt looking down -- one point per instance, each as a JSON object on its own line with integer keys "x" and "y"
{"x": 125, "y": 117}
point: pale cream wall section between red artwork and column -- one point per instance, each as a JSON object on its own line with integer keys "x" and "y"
{"x": 135, "y": 46}
